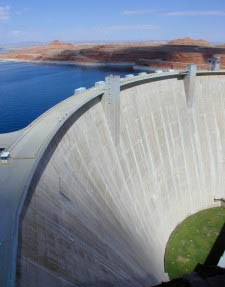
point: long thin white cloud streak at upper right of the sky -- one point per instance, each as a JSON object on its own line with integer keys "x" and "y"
{"x": 175, "y": 13}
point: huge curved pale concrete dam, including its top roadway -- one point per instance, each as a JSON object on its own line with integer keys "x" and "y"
{"x": 91, "y": 190}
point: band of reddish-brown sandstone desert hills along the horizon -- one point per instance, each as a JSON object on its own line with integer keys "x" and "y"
{"x": 175, "y": 54}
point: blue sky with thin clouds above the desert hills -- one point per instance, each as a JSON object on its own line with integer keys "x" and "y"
{"x": 111, "y": 20}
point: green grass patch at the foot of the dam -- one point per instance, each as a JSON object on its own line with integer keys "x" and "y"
{"x": 192, "y": 240}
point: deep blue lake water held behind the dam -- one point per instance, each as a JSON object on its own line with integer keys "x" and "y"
{"x": 28, "y": 90}
